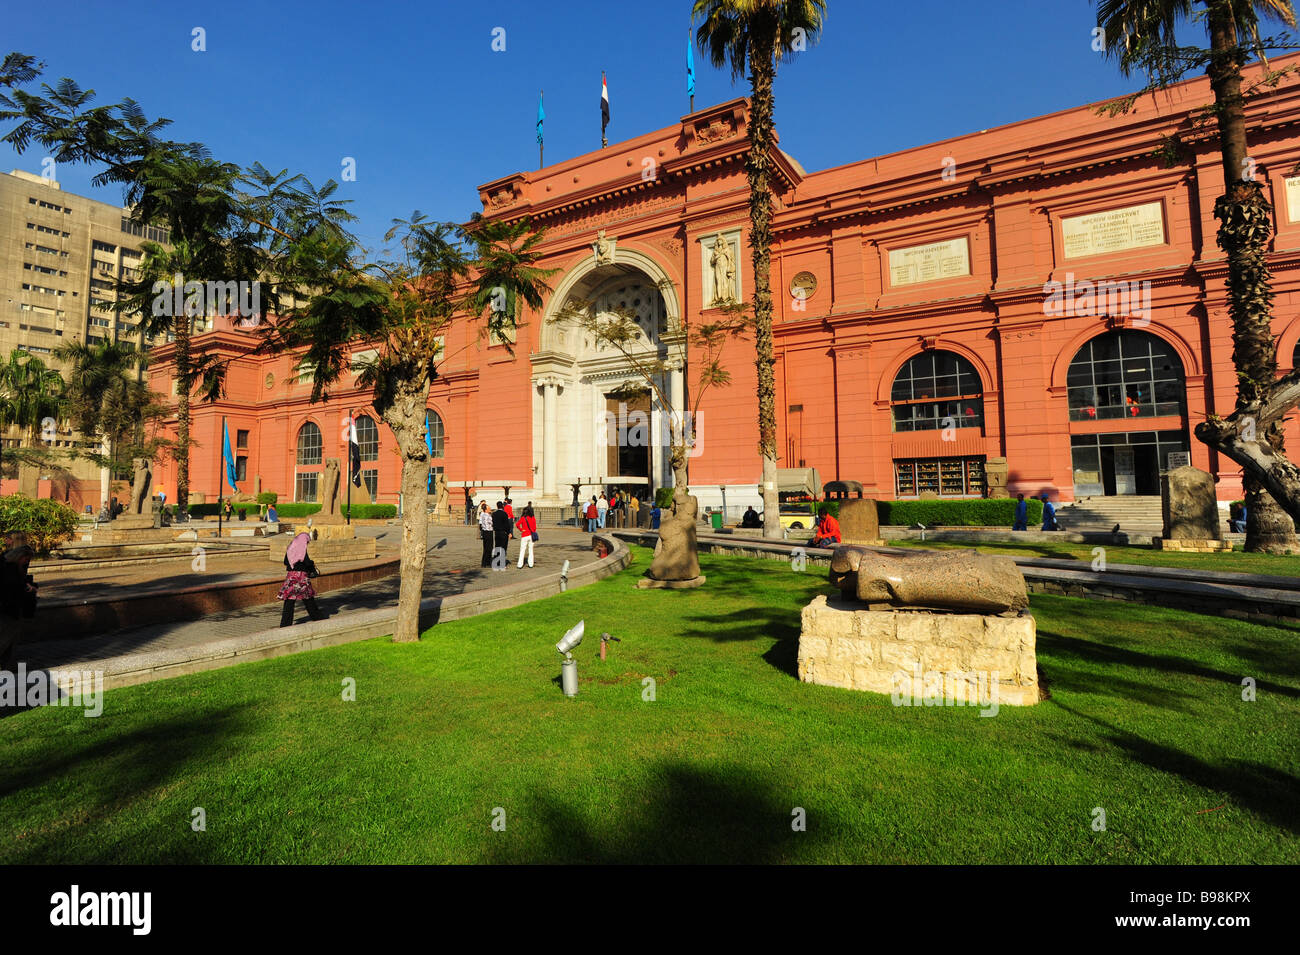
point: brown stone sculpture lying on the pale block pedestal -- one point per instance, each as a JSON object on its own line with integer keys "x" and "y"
{"x": 961, "y": 581}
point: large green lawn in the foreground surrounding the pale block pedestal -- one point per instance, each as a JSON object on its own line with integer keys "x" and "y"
{"x": 1146, "y": 722}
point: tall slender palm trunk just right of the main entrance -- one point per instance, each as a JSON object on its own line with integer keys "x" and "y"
{"x": 762, "y": 73}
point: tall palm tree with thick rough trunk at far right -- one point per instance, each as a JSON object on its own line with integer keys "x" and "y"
{"x": 1141, "y": 34}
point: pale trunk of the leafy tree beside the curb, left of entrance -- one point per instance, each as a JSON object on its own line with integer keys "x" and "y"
{"x": 406, "y": 419}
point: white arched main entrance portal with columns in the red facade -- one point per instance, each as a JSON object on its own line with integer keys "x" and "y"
{"x": 596, "y": 418}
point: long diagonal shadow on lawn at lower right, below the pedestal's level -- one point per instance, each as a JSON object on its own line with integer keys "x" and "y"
{"x": 1267, "y": 792}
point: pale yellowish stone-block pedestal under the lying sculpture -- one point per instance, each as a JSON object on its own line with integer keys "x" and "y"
{"x": 970, "y": 659}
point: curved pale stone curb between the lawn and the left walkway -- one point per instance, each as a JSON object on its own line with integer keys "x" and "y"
{"x": 131, "y": 670}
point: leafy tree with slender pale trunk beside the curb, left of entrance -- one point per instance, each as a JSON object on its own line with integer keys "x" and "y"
{"x": 404, "y": 309}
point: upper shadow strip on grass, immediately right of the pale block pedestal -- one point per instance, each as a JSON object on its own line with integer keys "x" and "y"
{"x": 1116, "y": 657}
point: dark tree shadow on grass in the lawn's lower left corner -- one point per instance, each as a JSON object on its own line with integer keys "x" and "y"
{"x": 103, "y": 778}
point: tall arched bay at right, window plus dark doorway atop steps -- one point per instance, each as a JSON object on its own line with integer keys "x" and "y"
{"x": 1128, "y": 414}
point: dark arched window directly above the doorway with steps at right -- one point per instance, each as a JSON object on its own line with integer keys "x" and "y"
{"x": 1125, "y": 375}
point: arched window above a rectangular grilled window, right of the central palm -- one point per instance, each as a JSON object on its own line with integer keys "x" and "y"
{"x": 934, "y": 388}
